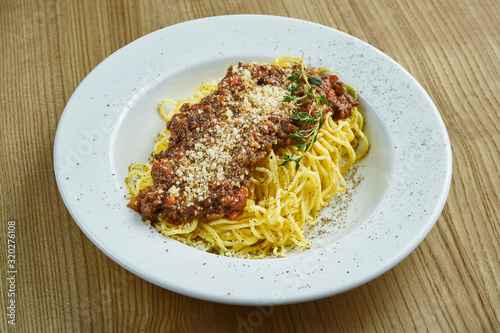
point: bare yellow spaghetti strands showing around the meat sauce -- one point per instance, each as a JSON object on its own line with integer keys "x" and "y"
{"x": 282, "y": 199}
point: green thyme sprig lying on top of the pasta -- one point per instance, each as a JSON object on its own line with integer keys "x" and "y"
{"x": 309, "y": 125}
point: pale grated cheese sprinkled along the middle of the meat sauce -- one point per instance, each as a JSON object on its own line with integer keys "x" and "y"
{"x": 211, "y": 158}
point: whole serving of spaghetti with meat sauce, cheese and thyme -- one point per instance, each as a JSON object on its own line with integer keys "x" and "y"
{"x": 245, "y": 163}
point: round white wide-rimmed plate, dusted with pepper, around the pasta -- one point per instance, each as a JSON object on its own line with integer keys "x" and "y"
{"x": 111, "y": 121}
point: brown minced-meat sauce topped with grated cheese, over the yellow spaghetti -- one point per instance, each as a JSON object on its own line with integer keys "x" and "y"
{"x": 205, "y": 171}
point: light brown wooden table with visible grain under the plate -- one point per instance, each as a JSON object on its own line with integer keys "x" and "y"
{"x": 450, "y": 283}
